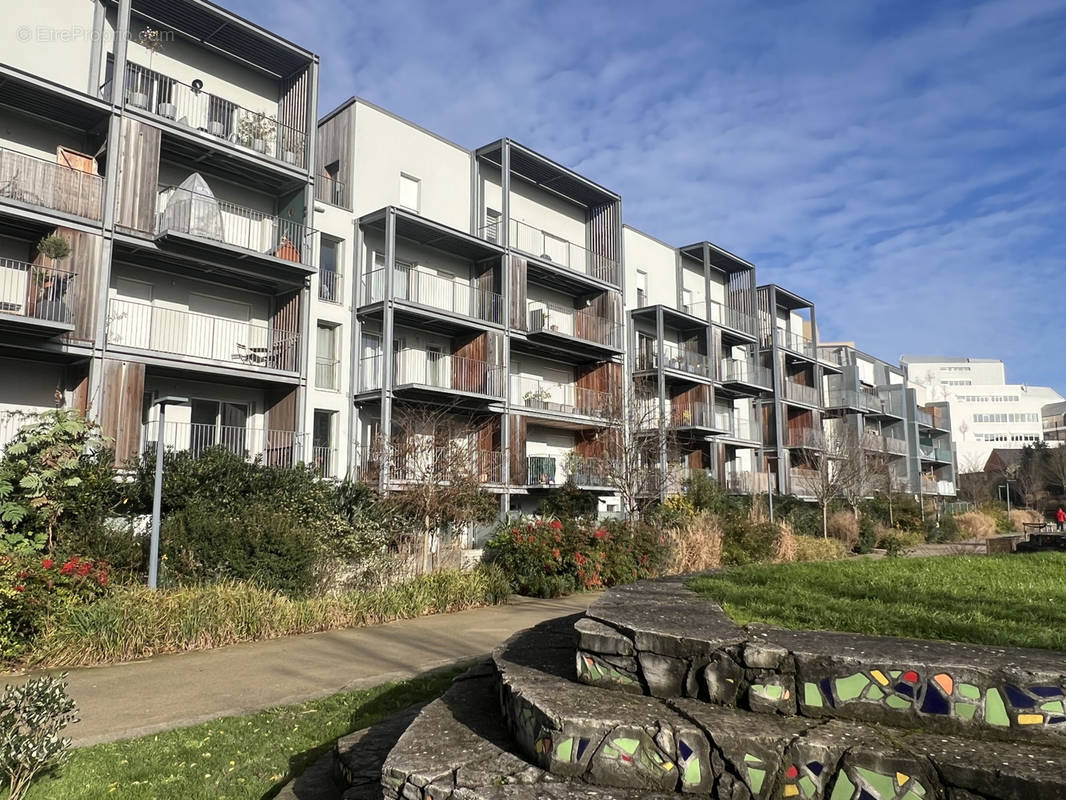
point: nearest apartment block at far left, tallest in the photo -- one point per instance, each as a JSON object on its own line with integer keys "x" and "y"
{"x": 171, "y": 146}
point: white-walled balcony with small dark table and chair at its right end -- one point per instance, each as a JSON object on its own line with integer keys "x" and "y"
{"x": 257, "y": 346}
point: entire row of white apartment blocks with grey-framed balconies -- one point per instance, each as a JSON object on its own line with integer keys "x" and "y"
{"x": 317, "y": 287}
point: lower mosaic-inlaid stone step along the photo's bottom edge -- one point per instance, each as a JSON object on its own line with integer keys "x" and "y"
{"x": 661, "y": 746}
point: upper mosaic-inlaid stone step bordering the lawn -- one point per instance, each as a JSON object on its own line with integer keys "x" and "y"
{"x": 660, "y": 639}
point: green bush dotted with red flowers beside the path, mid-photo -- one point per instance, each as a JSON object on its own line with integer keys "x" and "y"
{"x": 547, "y": 559}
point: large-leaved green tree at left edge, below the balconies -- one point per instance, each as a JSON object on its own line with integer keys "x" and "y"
{"x": 42, "y": 474}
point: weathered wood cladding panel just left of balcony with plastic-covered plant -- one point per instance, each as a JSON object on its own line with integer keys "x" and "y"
{"x": 138, "y": 177}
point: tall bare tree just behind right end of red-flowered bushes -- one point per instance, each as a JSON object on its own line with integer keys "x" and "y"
{"x": 635, "y": 440}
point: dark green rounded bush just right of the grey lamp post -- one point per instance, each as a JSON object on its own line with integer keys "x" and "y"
{"x": 260, "y": 545}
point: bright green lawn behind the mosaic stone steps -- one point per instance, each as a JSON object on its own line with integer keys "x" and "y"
{"x": 1003, "y": 600}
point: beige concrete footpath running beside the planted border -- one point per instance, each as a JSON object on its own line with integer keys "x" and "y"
{"x": 170, "y": 692}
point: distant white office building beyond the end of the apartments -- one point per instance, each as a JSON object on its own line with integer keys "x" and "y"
{"x": 987, "y": 411}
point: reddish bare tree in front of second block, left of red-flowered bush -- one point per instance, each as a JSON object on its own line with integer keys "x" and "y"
{"x": 437, "y": 468}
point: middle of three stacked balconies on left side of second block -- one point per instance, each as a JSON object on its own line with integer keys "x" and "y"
{"x": 435, "y": 372}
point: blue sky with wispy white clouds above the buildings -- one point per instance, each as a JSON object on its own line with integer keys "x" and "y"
{"x": 902, "y": 165}
